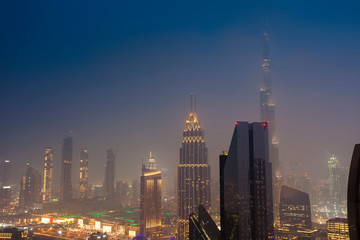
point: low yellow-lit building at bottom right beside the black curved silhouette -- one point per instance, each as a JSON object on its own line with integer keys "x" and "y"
{"x": 338, "y": 229}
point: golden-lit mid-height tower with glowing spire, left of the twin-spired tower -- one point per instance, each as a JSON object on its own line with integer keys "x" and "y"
{"x": 150, "y": 198}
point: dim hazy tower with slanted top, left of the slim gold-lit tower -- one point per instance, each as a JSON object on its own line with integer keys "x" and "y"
{"x": 30, "y": 188}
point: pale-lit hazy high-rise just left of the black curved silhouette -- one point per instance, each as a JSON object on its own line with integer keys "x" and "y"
{"x": 334, "y": 184}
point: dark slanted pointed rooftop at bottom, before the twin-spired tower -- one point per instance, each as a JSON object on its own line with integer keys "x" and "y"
{"x": 203, "y": 226}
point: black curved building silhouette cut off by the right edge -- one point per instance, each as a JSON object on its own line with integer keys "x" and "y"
{"x": 354, "y": 195}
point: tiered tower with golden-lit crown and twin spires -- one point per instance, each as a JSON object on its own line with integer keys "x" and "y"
{"x": 193, "y": 172}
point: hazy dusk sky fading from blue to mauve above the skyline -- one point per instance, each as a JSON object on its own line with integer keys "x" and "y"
{"x": 119, "y": 75}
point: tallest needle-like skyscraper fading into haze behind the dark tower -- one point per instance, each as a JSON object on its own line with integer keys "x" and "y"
{"x": 267, "y": 114}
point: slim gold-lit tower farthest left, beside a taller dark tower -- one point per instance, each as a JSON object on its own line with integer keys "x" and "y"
{"x": 48, "y": 174}
